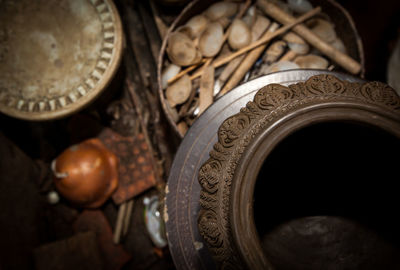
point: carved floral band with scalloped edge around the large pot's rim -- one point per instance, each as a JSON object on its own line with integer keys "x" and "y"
{"x": 235, "y": 133}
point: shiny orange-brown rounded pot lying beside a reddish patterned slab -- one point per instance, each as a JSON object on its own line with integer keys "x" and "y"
{"x": 86, "y": 174}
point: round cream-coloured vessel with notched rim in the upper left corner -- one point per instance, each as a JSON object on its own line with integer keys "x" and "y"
{"x": 56, "y": 56}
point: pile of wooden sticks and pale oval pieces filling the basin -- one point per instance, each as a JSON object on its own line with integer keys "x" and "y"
{"x": 211, "y": 54}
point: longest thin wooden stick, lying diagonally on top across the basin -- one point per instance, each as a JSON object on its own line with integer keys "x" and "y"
{"x": 262, "y": 41}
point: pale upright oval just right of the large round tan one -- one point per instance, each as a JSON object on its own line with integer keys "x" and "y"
{"x": 211, "y": 40}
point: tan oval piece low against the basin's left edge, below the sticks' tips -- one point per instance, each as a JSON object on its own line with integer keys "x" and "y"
{"x": 179, "y": 91}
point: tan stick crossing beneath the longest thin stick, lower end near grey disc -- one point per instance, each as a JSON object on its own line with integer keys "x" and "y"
{"x": 247, "y": 63}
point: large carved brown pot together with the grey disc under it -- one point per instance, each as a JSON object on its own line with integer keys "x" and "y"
{"x": 231, "y": 202}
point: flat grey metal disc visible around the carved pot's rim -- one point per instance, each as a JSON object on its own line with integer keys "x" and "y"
{"x": 188, "y": 249}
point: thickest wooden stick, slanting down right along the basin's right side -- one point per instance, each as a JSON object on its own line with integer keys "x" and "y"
{"x": 281, "y": 16}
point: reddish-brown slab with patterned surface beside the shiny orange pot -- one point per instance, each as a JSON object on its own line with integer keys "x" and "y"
{"x": 136, "y": 173}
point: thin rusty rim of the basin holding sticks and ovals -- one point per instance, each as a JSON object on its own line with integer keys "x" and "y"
{"x": 344, "y": 25}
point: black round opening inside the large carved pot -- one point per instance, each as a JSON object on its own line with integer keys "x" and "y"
{"x": 326, "y": 198}
